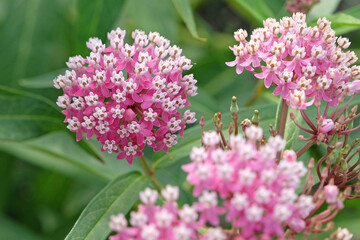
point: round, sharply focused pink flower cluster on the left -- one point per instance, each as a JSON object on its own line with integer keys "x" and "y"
{"x": 128, "y": 95}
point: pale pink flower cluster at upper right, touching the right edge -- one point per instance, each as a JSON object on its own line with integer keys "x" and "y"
{"x": 306, "y": 64}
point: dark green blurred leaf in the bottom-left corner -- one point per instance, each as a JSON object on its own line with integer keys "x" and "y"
{"x": 11, "y": 230}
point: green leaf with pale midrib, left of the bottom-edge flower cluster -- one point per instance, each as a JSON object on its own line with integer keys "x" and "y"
{"x": 117, "y": 197}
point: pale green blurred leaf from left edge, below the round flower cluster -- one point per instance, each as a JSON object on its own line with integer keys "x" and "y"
{"x": 59, "y": 152}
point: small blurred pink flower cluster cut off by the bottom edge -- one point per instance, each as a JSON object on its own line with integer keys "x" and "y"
{"x": 152, "y": 222}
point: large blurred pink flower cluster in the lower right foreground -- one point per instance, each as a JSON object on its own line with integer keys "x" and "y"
{"x": 258, "y": 194}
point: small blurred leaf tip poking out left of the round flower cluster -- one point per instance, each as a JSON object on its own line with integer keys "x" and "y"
{"x": 41, "y": 81}
